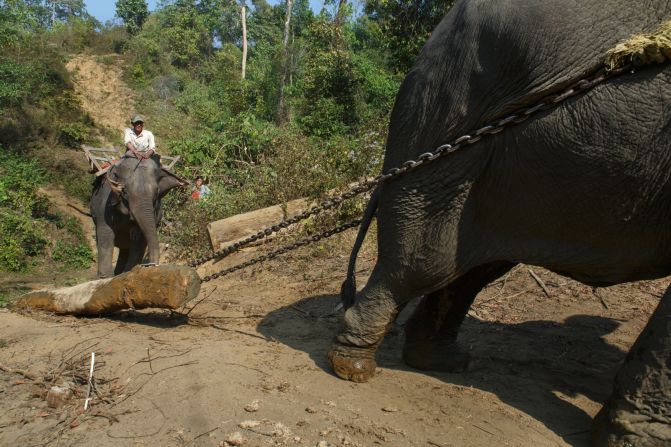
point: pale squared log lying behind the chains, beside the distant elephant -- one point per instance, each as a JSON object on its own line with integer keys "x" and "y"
{"x": 227, "y": 231}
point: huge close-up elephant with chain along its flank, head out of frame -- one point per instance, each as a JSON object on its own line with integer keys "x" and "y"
{"x": 583, "y": 189}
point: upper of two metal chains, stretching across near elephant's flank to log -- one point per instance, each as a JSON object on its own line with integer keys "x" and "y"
{"x": 494, "y": 127}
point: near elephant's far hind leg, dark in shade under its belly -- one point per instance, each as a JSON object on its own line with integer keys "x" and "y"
{"x": 431, "y": 332}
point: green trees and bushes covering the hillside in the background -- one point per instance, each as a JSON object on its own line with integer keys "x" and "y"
{"x": 308, "y": 116}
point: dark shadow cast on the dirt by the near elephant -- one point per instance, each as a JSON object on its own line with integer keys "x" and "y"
{"x": 532, "y": 366}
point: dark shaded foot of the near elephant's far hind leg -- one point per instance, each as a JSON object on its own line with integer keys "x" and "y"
{"x": 436, "y": 355}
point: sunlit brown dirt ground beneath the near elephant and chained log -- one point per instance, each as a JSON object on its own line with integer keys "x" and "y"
{"x": 251, "y": 358}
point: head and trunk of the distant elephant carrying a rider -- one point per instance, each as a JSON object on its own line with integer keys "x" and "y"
{"x": 137, "y": 188}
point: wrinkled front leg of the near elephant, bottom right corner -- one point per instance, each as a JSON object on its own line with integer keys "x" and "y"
{"x": 638, "y": 413}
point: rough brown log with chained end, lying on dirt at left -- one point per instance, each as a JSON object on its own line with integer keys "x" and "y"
{"x": 164, "y": 286}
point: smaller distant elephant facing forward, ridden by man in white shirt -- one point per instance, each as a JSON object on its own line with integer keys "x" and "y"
{"x": 126, "y": 210}
